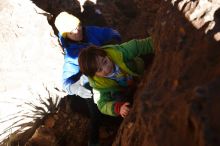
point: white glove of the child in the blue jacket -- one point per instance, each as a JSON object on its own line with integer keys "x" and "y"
{"x": 79, "y": 90}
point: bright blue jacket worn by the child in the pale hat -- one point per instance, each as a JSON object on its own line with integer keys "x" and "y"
{"x": 93, "y": 35}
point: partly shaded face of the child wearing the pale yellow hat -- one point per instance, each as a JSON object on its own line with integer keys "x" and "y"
{"x": 76, "y": 34}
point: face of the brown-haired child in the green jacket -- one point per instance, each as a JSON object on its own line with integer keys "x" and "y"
{"x": 105, "y": 66}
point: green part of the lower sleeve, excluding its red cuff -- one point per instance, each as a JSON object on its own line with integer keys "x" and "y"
{"x": 104, "y": 102}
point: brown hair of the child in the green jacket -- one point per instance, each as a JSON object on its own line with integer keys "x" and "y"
{"x": 88, "y": 59}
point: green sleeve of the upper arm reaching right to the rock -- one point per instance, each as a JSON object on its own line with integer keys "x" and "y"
{"x": 134, "y": 48}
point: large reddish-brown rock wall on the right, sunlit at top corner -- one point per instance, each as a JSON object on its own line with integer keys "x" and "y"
{"x": 177, "y": 103}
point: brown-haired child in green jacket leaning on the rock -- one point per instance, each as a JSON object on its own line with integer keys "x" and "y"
{"x": 112, "y": 69}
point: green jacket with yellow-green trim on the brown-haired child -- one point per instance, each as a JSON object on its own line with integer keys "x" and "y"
{"x": 126, "y": 56}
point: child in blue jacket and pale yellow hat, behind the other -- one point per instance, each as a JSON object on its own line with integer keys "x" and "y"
{"x": 73, "y": 37}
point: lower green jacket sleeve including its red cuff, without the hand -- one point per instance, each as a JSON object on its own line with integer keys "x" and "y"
{"x": 106, "y": 104}
